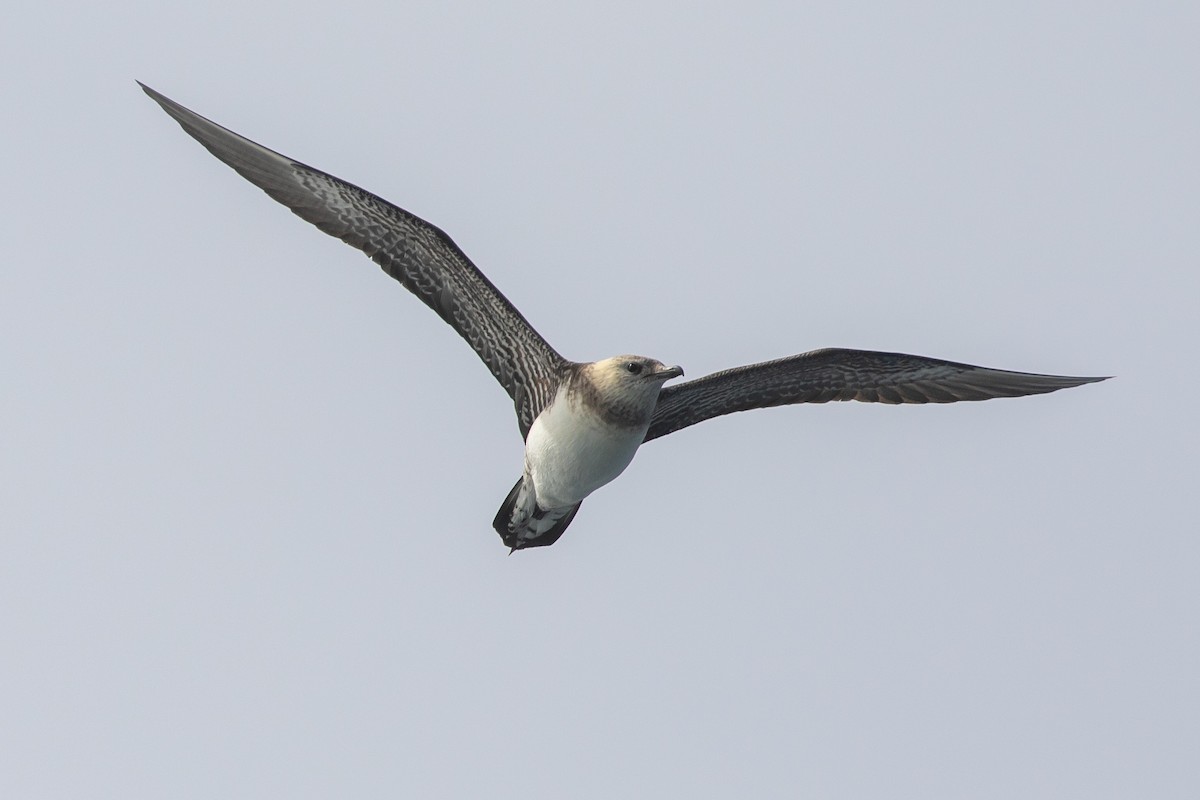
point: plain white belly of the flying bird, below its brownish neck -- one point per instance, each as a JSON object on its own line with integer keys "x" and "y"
{"x": 571, "y": 455}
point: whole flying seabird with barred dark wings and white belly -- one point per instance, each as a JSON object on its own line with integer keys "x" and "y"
{"x": 581, "y": 422}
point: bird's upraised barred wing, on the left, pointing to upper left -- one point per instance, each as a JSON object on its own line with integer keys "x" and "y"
{"x": 415, "y": 252}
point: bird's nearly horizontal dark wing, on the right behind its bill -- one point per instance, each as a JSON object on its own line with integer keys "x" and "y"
{"x": 841, "y": 375}
